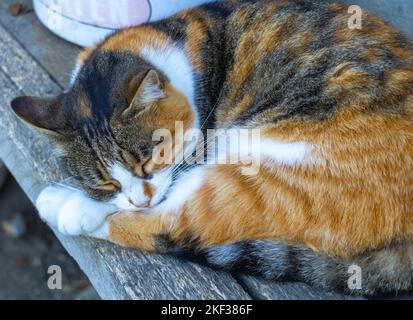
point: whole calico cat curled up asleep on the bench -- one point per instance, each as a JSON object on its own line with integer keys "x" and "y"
{"x": 334, "y": 109}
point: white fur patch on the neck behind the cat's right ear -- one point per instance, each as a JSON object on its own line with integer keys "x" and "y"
{"x": 173, "y": 62}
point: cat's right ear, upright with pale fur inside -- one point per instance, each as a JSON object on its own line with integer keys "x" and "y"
{"x": 147, "y": 89}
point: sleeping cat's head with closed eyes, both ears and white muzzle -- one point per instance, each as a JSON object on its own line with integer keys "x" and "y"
{"x": 104, "y": 128}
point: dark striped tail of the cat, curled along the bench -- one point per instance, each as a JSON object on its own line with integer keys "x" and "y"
{"x": 387, "y": 270}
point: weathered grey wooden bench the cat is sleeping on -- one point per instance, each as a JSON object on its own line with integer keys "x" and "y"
{"x": 35, "y": 62}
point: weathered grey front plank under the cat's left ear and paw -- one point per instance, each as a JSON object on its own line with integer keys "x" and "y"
{"x": 115, "y": 272}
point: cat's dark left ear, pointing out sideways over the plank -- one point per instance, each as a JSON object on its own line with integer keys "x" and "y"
{"x": 41, "y": 113}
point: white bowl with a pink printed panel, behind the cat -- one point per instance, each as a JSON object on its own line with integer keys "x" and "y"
{"x": 86, "y": 22}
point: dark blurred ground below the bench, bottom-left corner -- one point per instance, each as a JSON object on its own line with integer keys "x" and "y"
{"x": 28, "y": 248}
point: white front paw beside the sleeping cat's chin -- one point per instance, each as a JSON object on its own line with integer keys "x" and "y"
{"x": 73, "y": 213}
